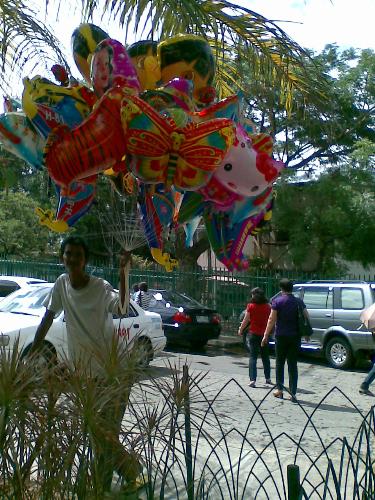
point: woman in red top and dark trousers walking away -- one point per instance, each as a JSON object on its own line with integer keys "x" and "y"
{"x": 256, "y": 317}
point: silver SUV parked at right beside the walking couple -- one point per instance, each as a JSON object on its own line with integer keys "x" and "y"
{"x": 334, "y": 308}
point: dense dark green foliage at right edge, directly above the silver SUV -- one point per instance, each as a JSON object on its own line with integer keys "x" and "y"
{"x": 333, "y": 216}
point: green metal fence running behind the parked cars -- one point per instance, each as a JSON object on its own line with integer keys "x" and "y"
{"x": 225, "y": 291}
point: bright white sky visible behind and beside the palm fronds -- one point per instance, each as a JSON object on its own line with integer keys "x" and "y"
{"x": 311, "y": 23}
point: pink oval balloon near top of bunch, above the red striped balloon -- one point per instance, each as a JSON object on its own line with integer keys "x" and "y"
{"x": 111, "y": 66}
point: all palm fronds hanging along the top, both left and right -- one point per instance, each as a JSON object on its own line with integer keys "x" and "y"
{"x": 239, "y": 36}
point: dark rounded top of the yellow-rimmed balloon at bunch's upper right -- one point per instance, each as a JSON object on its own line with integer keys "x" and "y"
{"x": 188, "y": 48}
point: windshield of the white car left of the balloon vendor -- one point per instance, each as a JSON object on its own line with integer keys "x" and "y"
{"x": 28, "y": 301}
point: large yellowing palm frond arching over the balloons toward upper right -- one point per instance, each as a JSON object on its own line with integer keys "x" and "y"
{"x": 236, "y": 32}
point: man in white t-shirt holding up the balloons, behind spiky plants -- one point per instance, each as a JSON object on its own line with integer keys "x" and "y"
{"x": 88, "y": 303}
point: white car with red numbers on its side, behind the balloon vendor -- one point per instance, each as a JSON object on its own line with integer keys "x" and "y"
{"x": 22, "y": 311}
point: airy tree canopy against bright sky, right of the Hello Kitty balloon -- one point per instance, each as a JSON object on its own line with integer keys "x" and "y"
{"x": 317, "y": 135}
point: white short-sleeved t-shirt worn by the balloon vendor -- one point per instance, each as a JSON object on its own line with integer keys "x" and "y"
{"x": 88, "y": 318}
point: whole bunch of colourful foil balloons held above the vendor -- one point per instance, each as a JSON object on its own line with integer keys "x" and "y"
{"x": 147, "y": 117}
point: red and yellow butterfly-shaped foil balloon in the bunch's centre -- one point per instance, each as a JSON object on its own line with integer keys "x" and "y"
{"x": 161, "y": 152}
